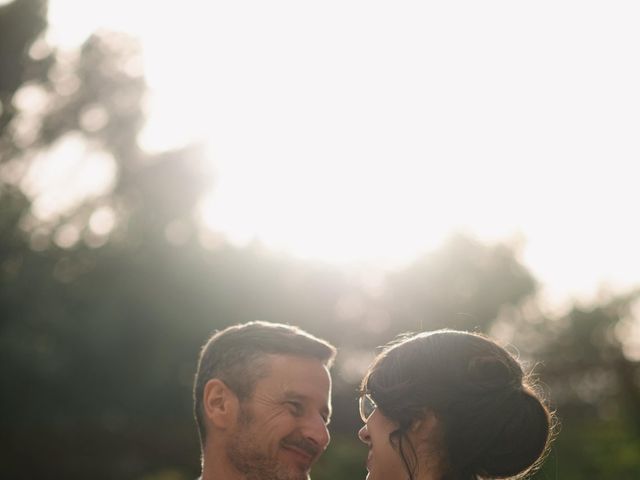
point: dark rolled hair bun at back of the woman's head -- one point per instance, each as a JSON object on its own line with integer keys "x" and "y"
{"x": 522, "y": 439}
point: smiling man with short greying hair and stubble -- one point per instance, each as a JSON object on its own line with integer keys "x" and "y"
{"x": 262, "y": 399}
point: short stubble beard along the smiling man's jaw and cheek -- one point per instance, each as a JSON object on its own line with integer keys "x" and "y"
{"x": 247, "y": 457}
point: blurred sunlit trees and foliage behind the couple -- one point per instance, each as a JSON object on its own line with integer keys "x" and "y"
{"x": 105, "y": 303}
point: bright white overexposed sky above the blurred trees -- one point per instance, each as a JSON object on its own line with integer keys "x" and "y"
{"x": 368, "y": 130}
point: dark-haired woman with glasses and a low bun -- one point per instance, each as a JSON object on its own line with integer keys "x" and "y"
{"x": 450, "y": 405}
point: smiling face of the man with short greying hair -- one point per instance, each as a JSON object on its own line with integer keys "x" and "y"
{"x": 282, "y": 428}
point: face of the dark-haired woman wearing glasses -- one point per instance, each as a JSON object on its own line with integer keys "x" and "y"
{"x": 383, "y": 462}
